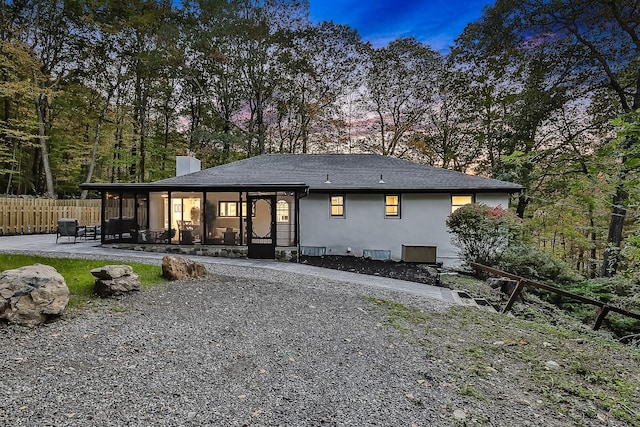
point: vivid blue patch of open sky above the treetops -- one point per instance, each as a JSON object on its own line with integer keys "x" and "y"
{"x": 435, "y": 22}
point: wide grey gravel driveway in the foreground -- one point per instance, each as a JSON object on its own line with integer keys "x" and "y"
{"x": 243, "y": 347}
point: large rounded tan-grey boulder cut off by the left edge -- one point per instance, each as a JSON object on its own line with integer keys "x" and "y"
{"x": 30, "y": 295}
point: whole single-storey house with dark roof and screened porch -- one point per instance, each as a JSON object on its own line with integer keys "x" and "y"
{"x": 272, "y": 206}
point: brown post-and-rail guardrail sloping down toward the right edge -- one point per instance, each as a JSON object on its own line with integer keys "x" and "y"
{"x": 603, "y": 308}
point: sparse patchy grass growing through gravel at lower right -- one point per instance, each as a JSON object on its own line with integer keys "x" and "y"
{"x": 492, "y": 357}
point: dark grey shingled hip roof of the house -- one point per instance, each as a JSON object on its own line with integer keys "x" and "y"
{"x": 355, "y": 172}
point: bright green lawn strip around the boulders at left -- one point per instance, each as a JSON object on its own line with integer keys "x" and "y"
{"x": 77, "y": 273}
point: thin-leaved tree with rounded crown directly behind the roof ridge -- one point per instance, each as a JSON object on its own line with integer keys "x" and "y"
{"x": 320, "y": 65}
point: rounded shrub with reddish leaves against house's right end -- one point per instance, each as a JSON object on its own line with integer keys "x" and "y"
{"x": 483, "y": 233}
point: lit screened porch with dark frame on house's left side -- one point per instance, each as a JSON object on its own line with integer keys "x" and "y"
{"x": 258, "y": 219}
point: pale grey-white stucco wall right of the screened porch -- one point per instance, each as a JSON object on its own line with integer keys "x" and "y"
{"x": 364, "y": 226}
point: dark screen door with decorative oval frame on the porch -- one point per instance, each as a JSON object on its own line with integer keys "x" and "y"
{"x": 261, "y": 227}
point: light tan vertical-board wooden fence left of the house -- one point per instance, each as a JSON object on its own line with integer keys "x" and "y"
{"x": 35, "y": 216}
